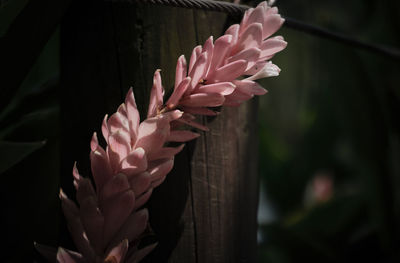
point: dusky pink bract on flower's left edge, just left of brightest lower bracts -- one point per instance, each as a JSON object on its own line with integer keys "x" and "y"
{"x": 101, "y": 169}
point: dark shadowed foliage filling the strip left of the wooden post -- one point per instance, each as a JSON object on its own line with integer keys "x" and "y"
{"x": 29, "y": 150}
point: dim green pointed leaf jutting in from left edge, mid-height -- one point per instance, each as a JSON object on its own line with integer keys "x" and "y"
{"x": 14, "y": 152}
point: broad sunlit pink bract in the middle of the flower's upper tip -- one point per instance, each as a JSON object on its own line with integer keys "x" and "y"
{"x": 251, "y": 37}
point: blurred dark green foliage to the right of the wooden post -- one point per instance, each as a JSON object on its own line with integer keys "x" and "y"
{"x": 333, "y": 111}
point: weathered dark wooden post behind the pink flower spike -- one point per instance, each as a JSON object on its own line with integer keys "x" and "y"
{"x": 206, "y": 209}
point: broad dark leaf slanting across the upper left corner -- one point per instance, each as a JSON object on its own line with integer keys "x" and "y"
{"x": 25, "y": 29}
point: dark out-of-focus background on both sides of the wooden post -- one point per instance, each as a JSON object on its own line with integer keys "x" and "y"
{"x": 332, "y": 114}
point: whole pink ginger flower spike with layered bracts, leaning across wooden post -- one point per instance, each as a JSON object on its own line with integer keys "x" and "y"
{"x": 109, "y": 222}
